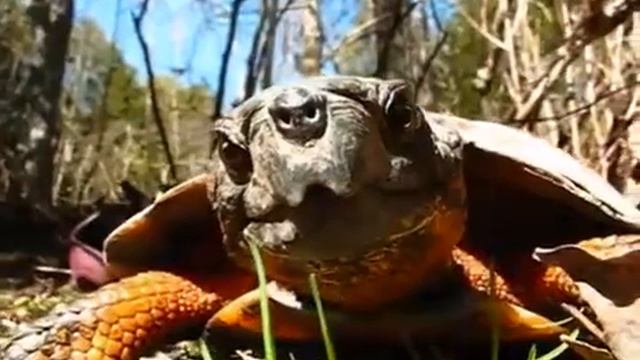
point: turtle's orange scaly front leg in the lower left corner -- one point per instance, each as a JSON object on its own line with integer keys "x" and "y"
{"x": 120, "y": 321}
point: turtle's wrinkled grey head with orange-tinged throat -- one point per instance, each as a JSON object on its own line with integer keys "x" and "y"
{"x": 301, "y": 164}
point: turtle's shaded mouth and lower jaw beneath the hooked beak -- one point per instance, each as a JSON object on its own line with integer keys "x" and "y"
{"x": 327, "y": 226}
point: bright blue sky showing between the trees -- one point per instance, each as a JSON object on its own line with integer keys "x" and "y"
{"x": 184, "y": 34}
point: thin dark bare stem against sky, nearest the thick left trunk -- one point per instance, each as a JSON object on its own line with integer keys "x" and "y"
{"x": 155, "y": 108}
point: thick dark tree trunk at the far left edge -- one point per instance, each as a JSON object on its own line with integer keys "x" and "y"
{"x": 30, "y": 89}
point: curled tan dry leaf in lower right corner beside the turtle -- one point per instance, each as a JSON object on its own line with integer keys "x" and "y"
{"x": 607, "y": 271}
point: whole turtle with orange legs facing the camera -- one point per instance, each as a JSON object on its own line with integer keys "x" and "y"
{"x": 411, "y": 221}
